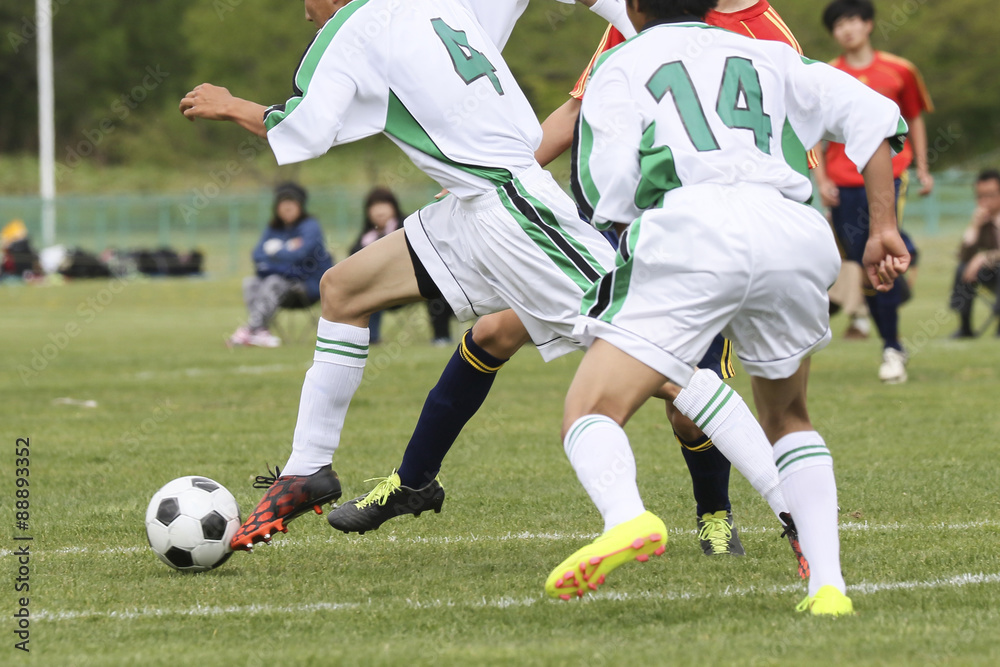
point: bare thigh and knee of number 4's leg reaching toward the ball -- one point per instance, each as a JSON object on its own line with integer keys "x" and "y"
{"x": 379, "y": 276}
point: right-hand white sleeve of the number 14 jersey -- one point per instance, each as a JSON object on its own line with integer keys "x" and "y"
{"x": 824, "y": 103}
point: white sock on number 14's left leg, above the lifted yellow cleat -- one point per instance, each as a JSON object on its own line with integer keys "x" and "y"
{"x": 599, "y": 452}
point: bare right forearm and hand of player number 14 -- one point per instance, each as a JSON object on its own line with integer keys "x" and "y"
{"x": 886, "y": 256}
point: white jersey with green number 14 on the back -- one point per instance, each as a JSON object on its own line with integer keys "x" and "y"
{"x": 683, "y": 103}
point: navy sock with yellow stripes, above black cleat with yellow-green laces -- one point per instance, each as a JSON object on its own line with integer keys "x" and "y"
{"x": 460, "y": 391}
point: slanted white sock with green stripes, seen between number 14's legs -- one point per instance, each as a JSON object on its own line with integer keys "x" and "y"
{"x": 724, "y": 417}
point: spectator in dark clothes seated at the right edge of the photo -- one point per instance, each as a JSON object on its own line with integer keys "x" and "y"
{"x": 979, "y": 256}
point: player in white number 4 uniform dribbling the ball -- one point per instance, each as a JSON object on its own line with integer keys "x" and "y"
{"x": 507, "y": 237}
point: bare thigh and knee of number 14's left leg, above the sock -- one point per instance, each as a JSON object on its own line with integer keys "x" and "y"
{"x": 609, "y": 382}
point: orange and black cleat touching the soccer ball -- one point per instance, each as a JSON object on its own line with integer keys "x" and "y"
{"x": 286, "y": 498}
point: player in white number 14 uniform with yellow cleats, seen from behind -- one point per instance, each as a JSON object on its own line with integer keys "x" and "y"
{"x": 676, "y": 140}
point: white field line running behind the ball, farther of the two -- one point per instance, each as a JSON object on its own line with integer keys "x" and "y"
{"x": 282, "y": 541}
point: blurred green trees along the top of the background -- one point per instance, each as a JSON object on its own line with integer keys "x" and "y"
{"x": 121, "y": 67}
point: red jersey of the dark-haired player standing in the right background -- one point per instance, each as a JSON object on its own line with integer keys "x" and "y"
{"x": 897, "y": 79}
